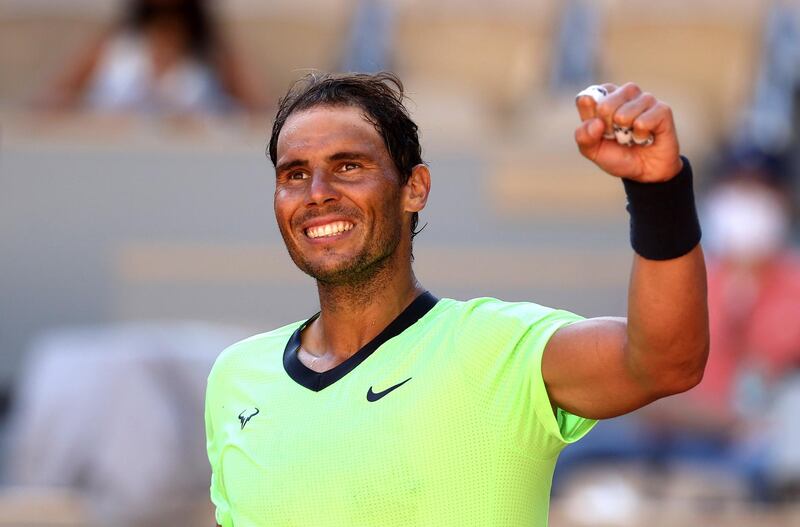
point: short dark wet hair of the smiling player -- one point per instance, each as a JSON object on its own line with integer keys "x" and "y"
{"x": 380, "y": 96}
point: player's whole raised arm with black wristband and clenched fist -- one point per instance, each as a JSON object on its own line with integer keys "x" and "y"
{"x": 605, "y": 367}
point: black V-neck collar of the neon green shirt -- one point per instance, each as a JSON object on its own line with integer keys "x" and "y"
{"x": 317, "y": 381}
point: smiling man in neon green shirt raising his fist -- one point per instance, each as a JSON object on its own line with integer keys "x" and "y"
{"x": 392, "y": 407}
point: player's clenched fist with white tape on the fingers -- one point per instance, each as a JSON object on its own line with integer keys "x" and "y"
{"x": 628, "y": 106}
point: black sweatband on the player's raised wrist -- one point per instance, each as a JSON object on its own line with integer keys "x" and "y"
{"x": 664, "y": 222}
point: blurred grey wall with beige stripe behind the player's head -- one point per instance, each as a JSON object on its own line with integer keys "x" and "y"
{"x": 93, "y": 235}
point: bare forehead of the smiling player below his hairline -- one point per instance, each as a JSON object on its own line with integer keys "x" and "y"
{"x": 326, "y": 130}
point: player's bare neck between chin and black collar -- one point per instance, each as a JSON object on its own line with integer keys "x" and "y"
{"x": 352, "y": 314}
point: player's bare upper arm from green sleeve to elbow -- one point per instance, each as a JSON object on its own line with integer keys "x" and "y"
{"x": 587, "y": 372}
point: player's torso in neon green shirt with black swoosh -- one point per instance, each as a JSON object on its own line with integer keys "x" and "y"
{"x": 445, "y": 423}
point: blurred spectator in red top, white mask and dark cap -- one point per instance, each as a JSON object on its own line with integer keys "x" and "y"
{"x": 742, "y": 418}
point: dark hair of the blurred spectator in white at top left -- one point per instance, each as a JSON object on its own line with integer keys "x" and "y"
{"x": 195, "y": 16}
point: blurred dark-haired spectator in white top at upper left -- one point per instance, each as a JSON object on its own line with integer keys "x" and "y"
{"x": 164, "y": 56}
